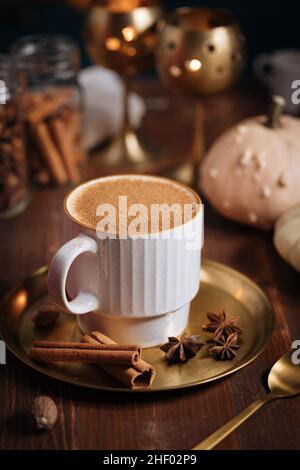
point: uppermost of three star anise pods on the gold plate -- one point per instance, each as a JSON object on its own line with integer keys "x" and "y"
{"x": 220, "y": 324}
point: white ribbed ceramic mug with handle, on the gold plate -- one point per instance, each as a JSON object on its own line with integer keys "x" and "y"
{"x": 134, "y": 289}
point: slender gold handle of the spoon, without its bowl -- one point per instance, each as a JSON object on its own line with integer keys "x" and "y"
{"x": 214, "y": 439}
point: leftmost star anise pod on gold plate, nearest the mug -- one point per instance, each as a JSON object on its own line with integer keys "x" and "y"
{"x": 183, "y": 349}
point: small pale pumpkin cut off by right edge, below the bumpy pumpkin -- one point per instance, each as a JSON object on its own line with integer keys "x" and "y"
{"x": 287, "y": 237}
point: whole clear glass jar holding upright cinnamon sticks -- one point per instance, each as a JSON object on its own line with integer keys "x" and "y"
{"x": 49, "y": 64}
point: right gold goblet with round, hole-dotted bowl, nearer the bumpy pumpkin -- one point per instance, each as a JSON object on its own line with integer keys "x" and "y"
{"x": 199, "y": 52}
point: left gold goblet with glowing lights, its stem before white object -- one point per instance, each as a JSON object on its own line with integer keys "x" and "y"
{"x": 124, "y": 40}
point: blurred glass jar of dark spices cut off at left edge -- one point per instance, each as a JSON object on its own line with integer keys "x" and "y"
{"x": 13, "y": 168}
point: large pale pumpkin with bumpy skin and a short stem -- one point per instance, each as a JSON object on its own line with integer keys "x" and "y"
{"x": 251, "y": 174}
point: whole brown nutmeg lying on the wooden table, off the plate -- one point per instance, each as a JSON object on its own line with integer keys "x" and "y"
{"x": 44, "y": 413}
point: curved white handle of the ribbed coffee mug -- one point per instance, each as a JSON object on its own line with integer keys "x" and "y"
{"x": 59, "y": 268}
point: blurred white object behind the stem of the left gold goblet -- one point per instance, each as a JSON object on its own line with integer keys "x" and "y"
{"x": 102, "y": 91}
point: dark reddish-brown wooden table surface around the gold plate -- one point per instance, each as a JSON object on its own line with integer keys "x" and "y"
{"x": 178, "y": 420}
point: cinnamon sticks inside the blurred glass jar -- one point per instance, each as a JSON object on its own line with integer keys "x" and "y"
{"x": 53, "y": 129}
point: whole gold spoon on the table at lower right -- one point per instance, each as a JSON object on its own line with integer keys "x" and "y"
{"x": 283, "y": 381}
